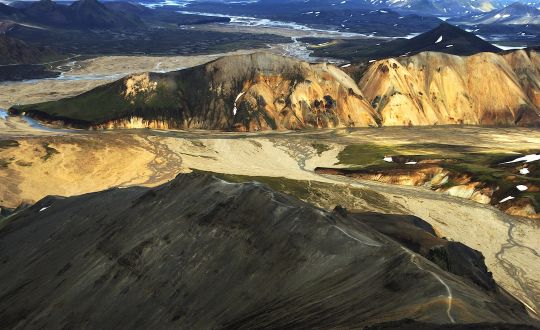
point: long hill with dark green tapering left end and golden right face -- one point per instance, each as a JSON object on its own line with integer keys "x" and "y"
{"x": 246, "y": 92}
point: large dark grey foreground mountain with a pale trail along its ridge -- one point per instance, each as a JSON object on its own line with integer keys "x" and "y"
{"x": 203, "y": 253}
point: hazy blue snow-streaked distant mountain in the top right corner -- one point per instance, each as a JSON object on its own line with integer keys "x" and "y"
{"x": 516, "y": 13}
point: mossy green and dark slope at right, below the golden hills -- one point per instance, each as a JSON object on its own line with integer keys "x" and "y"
{"x": 477, "y": 164}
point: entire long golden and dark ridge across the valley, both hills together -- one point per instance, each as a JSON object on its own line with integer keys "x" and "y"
{"x": 262, "y": 91}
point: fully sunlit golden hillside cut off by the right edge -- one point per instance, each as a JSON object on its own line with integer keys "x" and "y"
{"x": 434, "y": 88}
